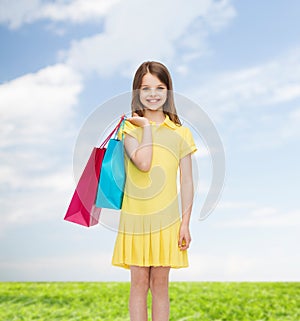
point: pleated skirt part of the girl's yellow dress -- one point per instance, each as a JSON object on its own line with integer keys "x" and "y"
{"x": 154, "y": 247}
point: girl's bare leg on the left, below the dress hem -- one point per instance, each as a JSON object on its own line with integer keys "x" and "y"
{"x": 139, "y": 288}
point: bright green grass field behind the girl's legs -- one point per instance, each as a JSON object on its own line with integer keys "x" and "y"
{"x": 205, "y": 301}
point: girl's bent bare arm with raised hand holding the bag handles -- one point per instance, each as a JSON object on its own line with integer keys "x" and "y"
{"x": 140, "y": 153}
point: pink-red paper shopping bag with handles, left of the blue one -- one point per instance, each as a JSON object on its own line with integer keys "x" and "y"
{"x": 82, "y": 209}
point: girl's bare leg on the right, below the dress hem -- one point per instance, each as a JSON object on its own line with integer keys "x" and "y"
{"x": 159, "y": 285}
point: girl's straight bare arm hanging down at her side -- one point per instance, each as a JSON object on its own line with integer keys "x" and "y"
{"x": 187, "y": 195}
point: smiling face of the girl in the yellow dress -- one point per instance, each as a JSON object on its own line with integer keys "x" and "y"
{"x": 153, "y": 93}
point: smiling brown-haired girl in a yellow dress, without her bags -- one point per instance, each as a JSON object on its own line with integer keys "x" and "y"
{"x": 152, "y": 237}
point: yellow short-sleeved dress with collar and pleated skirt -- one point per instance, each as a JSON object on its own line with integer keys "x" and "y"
{"x": 150, "y": 216}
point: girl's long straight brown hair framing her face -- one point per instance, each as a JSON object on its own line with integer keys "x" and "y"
{"x": 161, "y": 72}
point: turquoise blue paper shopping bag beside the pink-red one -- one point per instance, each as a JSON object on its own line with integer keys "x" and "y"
{"x": 112, "y": 177}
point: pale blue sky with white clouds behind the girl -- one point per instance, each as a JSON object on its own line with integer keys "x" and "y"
{"x": 238, "y": 60}
